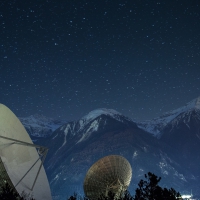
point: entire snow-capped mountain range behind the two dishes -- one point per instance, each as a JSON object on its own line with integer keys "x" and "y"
{"x": 168, "y": 146}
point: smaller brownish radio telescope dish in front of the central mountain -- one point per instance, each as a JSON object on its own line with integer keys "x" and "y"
{"x": 109, "y": 174}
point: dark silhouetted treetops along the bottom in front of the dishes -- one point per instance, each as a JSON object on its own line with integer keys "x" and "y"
{"x": 148, "y": 189}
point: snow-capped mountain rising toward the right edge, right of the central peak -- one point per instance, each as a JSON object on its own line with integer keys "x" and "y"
{"x": 180, "y": 129}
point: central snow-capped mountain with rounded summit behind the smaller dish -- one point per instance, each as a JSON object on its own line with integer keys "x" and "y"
{"x": 76, "y": 145}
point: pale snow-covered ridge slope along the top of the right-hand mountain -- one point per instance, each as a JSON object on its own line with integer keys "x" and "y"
{"x": 156, "y": 125}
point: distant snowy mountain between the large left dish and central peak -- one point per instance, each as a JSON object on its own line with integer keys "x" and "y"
{"x": 40, "y": 126}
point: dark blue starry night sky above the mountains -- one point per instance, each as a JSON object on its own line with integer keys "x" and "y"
{"x": 65, "y": 58}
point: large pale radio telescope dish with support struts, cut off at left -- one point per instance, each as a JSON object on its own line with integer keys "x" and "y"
{"x": 21, "y": 166}
